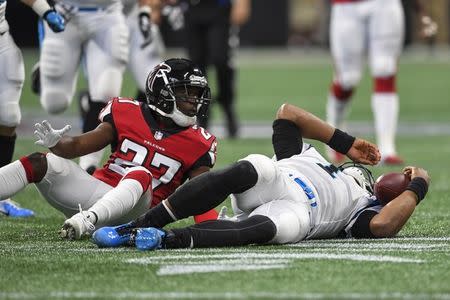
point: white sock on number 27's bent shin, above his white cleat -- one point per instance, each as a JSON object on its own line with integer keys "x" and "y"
{"x": 118, "y": 201}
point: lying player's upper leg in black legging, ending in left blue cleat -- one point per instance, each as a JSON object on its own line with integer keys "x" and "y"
{"x": 195, "y": 197}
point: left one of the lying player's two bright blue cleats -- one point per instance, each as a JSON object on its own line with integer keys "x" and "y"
{"x": 108, "y": 237}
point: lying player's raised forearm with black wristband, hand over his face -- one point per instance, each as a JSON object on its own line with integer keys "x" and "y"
{"x": 312, "y": 127}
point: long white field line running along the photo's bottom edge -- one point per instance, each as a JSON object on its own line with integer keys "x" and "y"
{"x": 222, "y": 295}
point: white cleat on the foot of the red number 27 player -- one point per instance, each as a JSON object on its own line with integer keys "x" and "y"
{"x": 77, "y": 226}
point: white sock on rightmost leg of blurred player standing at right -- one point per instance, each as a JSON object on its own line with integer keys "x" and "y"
{"x": 385, "y": 108}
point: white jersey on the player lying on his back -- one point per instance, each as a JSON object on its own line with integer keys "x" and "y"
{"x": 334, "y": 196}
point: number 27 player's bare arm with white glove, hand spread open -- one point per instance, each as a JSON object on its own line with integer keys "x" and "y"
{"x": 73, "y": 146}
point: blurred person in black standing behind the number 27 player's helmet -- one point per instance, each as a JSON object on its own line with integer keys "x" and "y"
{"x": 212, "y": 28}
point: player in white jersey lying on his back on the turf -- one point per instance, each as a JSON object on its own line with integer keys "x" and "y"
{"x": 296, "y": 197}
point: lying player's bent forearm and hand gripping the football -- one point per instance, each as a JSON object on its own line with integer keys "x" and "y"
{"x": 394, "y": 215}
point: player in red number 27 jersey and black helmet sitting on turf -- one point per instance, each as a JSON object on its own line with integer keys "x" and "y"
{"x": 155, "y": 146}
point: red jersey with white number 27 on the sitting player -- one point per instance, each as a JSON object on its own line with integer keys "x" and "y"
{"x": 169, "y": 154}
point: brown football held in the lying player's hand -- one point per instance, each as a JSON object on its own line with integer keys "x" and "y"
{"x": 390, "y": 185}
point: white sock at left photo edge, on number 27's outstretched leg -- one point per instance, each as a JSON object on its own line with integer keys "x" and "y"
{"x": 13, "y": 179}
